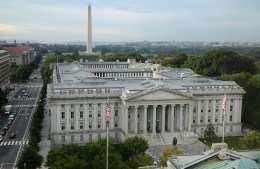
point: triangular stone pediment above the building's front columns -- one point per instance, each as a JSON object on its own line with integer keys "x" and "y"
{"x": 159, "y": 94}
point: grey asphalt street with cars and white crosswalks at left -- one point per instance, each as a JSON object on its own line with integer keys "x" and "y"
{"x": 10, "y": 148}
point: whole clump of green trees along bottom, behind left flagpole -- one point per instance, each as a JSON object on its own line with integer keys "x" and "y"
{"x": 93, "y": 155}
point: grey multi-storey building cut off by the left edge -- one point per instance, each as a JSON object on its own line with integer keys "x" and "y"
{"x": 4, "y": 69}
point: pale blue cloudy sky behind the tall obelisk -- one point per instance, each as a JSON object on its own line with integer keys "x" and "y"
{"x": 131, "y": 20}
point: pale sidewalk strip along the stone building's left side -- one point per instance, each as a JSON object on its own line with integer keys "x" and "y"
{"x": 45, "y": 145}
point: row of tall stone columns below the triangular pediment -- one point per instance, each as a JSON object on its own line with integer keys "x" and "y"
{"x": 157, "y": 118}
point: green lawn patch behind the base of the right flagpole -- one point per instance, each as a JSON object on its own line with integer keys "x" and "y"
{"x": 233, "y": 142}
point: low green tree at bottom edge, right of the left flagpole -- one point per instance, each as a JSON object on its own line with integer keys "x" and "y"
{"x": 139, "y": 160}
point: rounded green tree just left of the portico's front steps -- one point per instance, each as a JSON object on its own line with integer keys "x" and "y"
{"x": 132, "y": 146}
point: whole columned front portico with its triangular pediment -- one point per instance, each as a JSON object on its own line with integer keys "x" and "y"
{"x": 145, "y": 114}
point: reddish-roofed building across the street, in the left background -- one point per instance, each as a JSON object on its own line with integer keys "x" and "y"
{"x": 20, "y": 54}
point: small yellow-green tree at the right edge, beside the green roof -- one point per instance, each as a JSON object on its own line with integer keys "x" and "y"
{"x": 251, "y": 140}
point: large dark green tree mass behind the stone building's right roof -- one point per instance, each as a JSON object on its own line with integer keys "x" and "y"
{"x": 218, "y": 62}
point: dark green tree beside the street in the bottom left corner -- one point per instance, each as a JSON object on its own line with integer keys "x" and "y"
{"x": 31, "y": 158}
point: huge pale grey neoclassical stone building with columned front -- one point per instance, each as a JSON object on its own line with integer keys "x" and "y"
{"x": 144, "y": 99}
